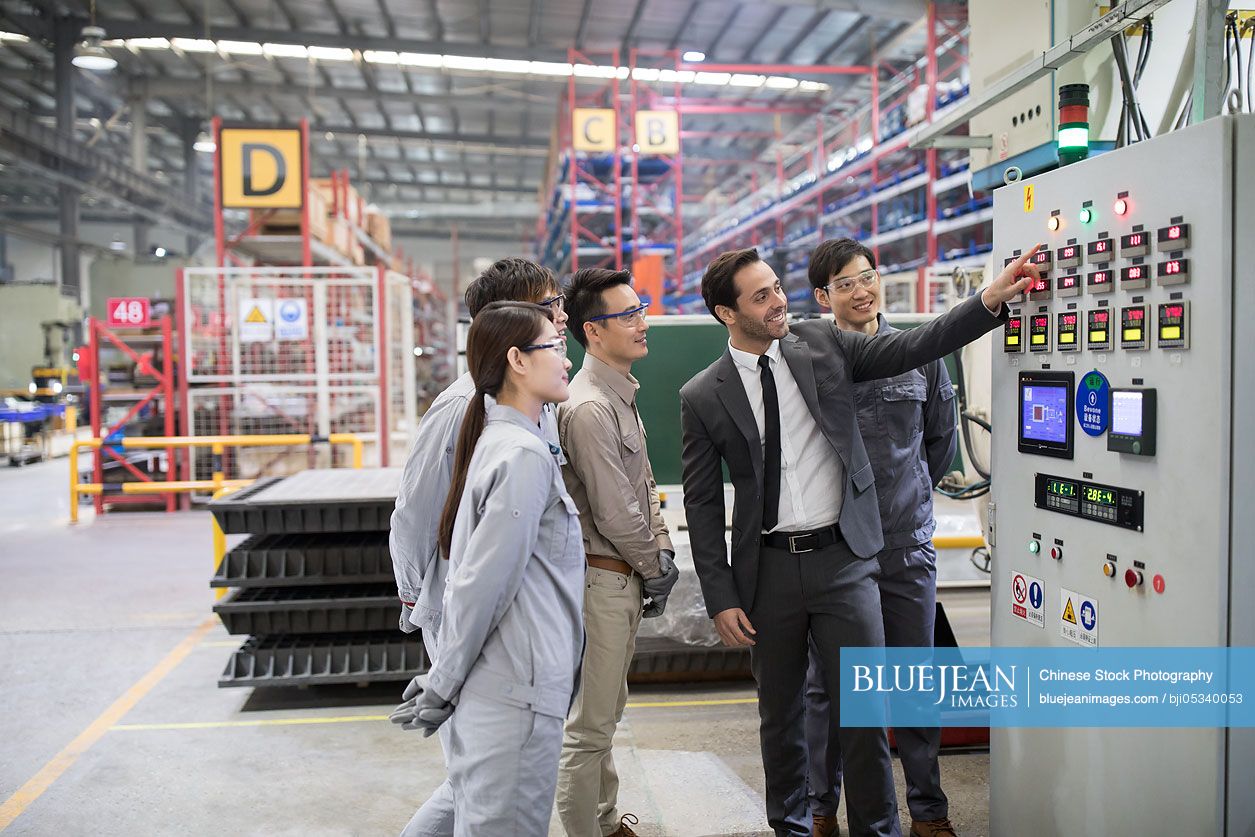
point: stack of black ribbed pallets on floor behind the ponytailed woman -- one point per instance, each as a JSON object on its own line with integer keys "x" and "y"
{"x": 312, "y": 587}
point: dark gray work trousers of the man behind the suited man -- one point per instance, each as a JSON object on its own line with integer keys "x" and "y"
{"x": 908, "y": 599}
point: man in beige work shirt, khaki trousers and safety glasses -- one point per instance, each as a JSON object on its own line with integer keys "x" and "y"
{"x": 626, "y": 541}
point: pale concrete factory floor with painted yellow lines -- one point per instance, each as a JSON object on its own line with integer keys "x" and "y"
{"x": 114, "y": 725}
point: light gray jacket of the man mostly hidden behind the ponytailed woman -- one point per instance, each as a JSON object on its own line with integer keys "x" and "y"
{"x": 425, "y": 486}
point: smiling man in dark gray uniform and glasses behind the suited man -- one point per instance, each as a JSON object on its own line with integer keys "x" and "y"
{"x": 908, "y": 425}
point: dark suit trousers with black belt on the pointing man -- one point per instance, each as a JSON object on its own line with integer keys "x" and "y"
{"x": 829, "y": 595}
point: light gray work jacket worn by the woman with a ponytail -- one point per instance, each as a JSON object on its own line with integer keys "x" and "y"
{"x": 513, "y": 628}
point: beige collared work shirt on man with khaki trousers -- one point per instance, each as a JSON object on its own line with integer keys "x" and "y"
{"x": 608, "y": 469}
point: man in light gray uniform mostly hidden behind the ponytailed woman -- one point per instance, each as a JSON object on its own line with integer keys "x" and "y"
{"x": 425, "y": 485}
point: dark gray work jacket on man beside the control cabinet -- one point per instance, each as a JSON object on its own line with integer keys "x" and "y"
{"x": 908, "y": 424}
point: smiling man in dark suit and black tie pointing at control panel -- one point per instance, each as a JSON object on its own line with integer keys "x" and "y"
{"x": 777, "y": 408}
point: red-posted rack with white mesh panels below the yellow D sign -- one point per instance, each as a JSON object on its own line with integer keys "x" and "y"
{"x": 366, "y": 307}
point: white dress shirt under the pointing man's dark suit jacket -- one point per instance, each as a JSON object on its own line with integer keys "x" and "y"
{"x": 811, "y": 472}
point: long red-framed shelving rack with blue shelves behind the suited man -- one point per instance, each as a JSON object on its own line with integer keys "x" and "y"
{"x": 857, "y": 176}
